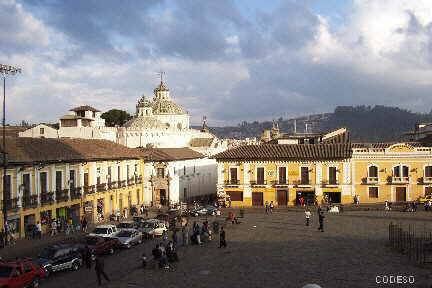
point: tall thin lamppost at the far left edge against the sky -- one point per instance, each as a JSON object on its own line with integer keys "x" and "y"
{"x": 4, "y": 71}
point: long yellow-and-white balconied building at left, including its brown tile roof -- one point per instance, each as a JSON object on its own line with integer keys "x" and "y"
{"x": 69, "y": 178}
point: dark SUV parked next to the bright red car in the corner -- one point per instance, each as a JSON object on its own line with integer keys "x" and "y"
{"x": 59, "y": 257}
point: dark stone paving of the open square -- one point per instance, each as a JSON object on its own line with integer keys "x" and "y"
{"x": 274, "y": 251}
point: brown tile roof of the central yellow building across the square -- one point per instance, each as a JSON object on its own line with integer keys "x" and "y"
{"x": 287, "y": 152}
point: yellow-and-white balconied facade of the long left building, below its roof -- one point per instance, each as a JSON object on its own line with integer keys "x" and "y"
{"x": 74, "y": 197}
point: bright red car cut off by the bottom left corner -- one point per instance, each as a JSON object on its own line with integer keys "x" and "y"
{"x": 20, "y": 273}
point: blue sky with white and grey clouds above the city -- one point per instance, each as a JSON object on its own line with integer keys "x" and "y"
{"x": 232, "y": 61}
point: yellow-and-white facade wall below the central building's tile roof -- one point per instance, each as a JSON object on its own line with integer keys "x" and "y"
{"x": 271, "y": 188}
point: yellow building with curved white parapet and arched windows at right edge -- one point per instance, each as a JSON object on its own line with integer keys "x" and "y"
{"x": 395, "y": 172}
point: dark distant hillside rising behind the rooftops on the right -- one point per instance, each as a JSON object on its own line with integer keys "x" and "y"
{"x": 365, "y": 123}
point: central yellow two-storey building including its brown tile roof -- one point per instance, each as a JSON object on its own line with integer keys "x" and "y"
{"x": 254, "y": 174}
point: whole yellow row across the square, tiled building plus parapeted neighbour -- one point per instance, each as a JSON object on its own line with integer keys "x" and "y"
{"x": 282, "y": 173}
